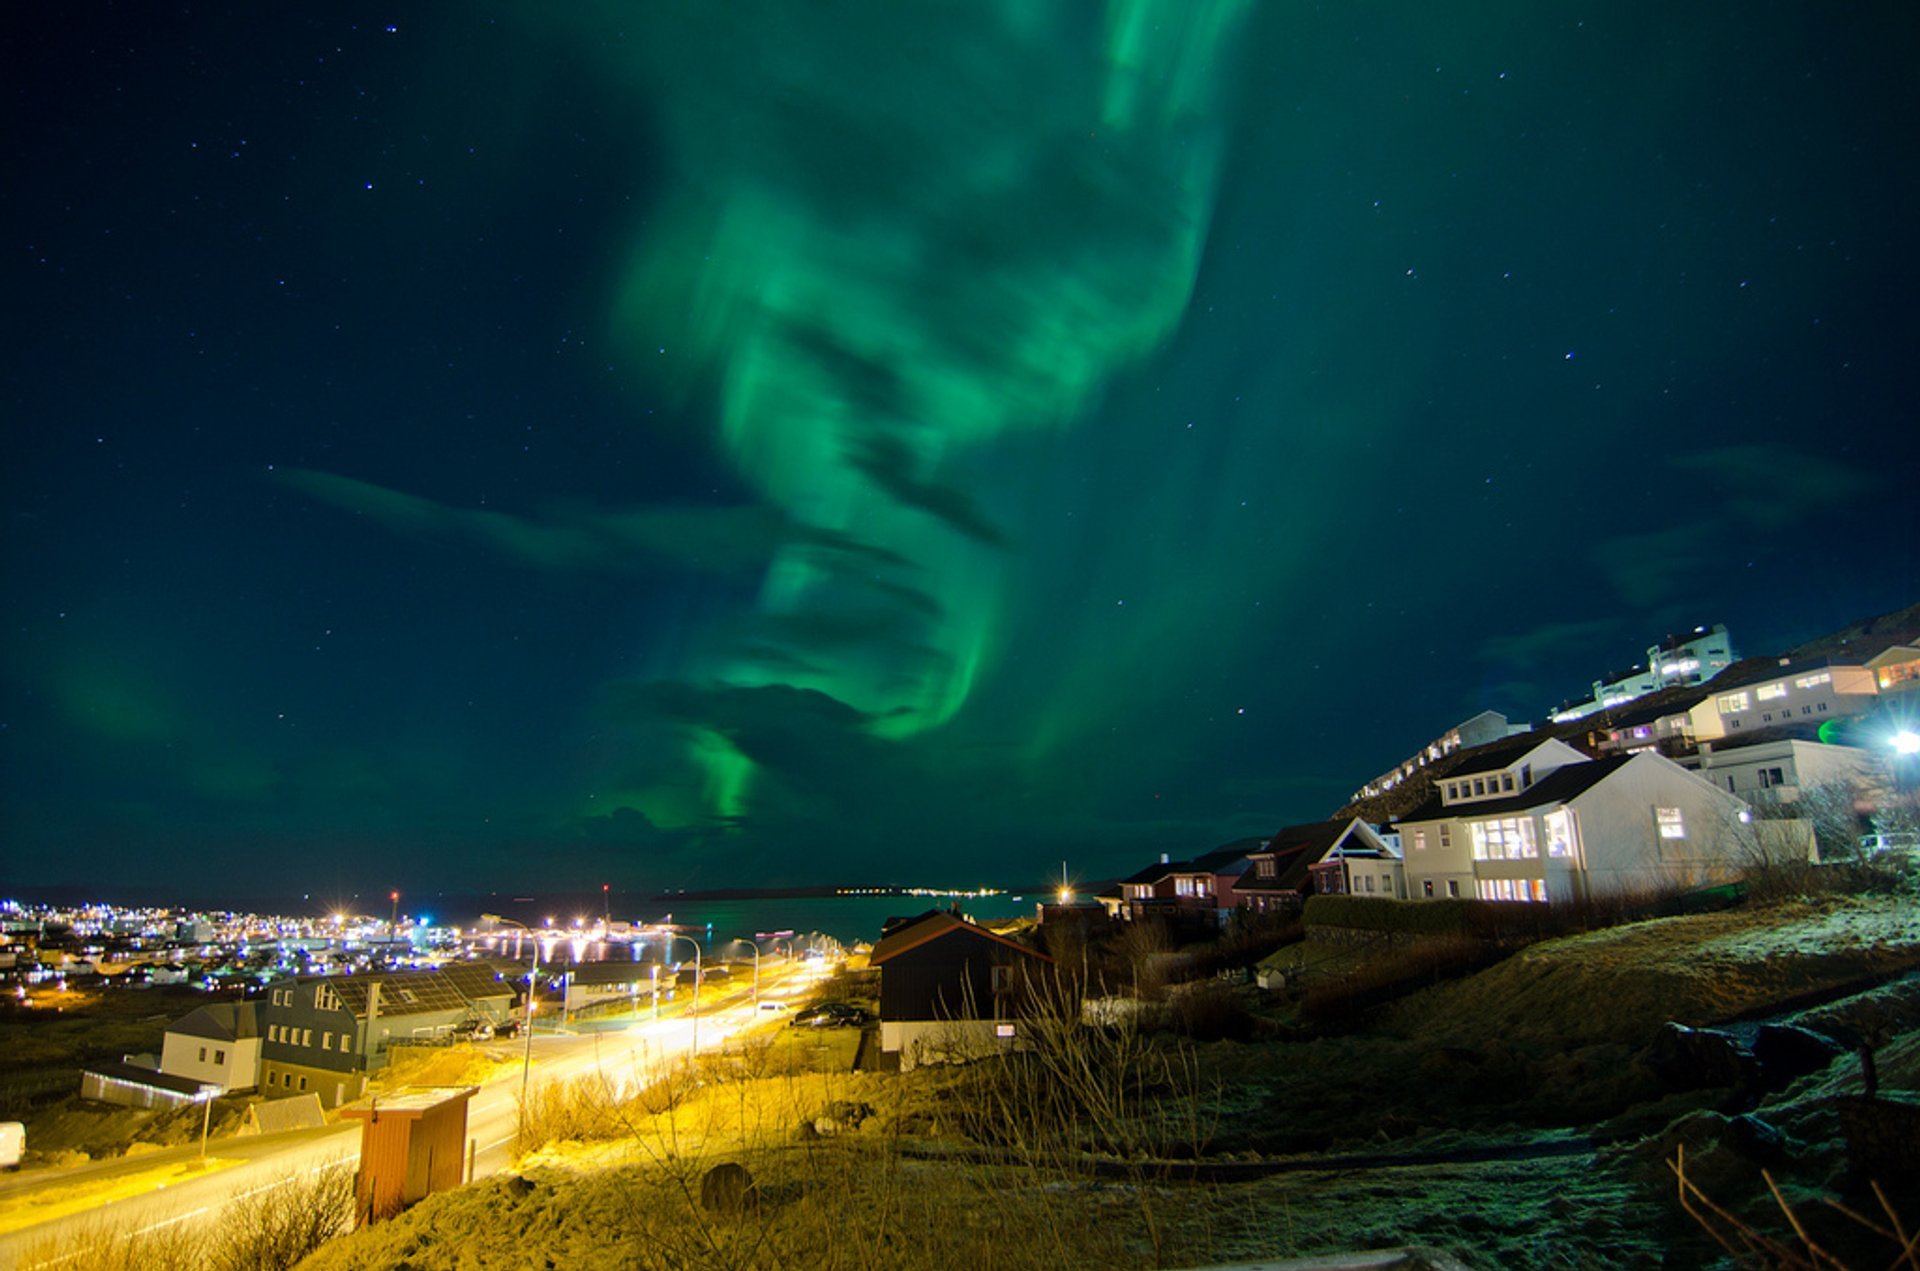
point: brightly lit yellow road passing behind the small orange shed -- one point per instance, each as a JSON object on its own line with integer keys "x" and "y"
{"x": 153, "y": 1193}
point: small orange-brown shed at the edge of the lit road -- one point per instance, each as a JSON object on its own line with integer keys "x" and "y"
{"x": 414, "y": 1143}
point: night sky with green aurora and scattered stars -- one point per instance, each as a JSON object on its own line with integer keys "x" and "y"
{"x": 698, "y": 444}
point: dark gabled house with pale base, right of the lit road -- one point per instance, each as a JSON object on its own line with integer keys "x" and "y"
{"x": 951, "y": 990}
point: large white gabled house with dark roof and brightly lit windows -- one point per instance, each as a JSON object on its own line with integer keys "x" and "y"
{"x": 1575, "y": 830}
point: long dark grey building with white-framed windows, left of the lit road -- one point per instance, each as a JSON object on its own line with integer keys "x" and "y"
{"x": 327, "y": 1034}
